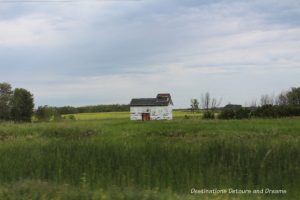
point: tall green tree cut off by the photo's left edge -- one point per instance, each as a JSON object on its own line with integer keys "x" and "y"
{"x": 5, "y": 97}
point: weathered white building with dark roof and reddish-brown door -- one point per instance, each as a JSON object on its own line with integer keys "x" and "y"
{"x": 158, "y": 108}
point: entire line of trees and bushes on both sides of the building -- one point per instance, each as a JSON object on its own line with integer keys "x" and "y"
{"x": 18, "y": 105}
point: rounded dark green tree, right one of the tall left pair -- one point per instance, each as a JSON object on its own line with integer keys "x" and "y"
{"x": 22, "y": 105}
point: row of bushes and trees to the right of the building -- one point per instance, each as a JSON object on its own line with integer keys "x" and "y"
{"x": 286, "y": 104}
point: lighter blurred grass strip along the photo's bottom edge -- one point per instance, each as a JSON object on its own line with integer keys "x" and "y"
{"x": 42, "y": 190}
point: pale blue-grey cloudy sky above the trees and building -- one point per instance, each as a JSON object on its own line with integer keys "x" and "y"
{"x": 88, "y": 52}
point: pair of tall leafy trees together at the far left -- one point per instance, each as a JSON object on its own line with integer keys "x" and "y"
{"x": 15, "y": 105}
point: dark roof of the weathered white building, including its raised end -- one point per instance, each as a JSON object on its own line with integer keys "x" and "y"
{"x": 160, "y": 100}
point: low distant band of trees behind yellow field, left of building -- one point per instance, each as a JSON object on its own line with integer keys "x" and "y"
{"x": 92, "y": 109}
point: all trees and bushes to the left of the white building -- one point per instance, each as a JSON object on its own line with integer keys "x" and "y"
{"x": 18, "y": 105}
